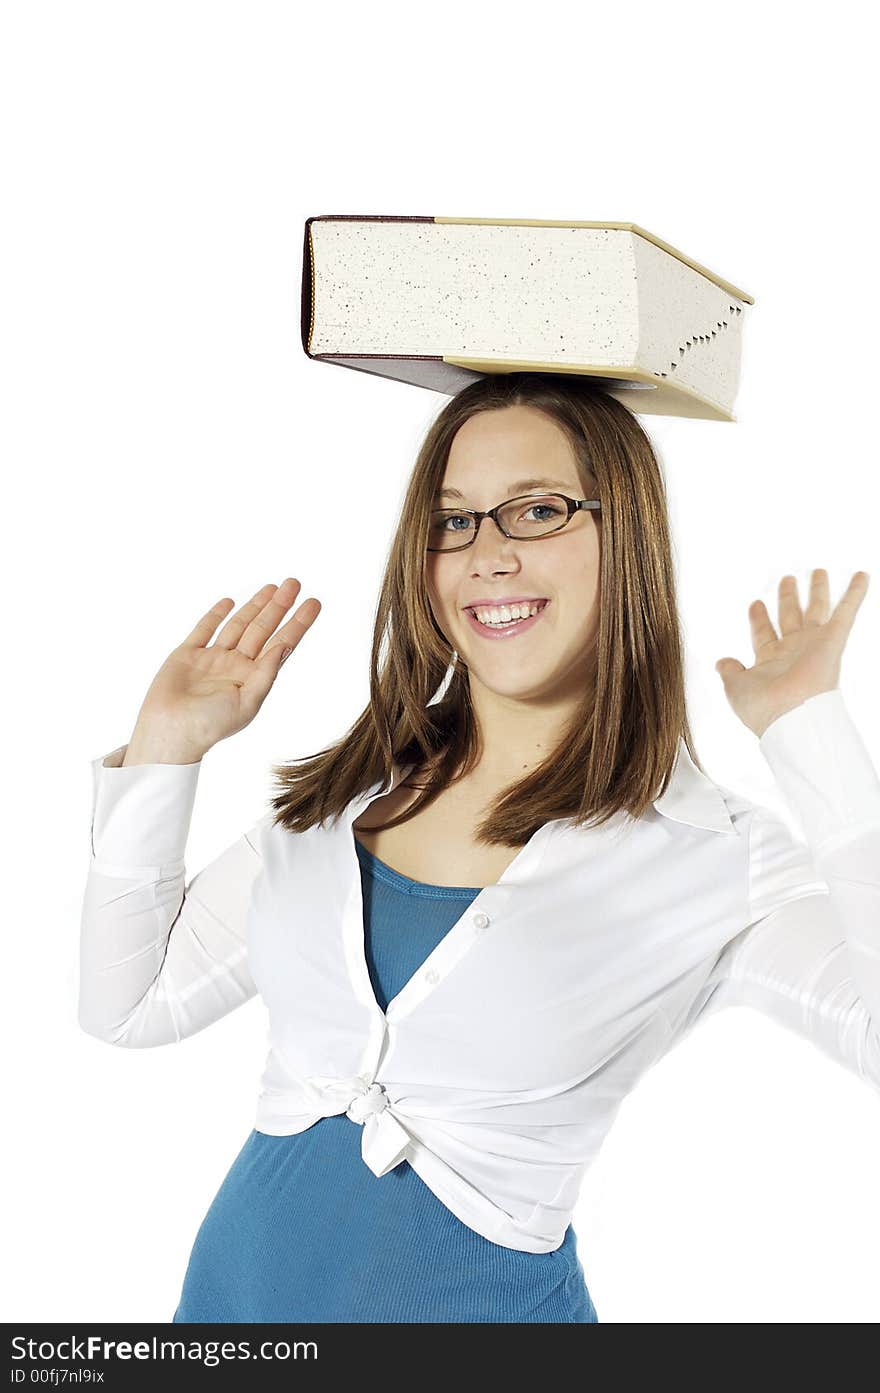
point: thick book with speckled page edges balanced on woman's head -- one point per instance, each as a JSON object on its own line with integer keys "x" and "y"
{"x": 442, "y": 302}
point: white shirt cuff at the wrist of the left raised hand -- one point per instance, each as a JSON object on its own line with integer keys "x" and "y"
{"x": 141, "y": 814}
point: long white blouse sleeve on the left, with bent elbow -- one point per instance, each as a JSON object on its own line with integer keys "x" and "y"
{"x": 159, "y": 959}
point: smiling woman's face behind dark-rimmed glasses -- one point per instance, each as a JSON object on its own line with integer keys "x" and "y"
{"x": 491, "y": 455}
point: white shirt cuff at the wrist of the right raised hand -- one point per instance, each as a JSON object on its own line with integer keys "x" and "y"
{"x": 824, "y": 770}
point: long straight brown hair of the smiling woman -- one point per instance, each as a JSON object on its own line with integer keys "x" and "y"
{"x": 622, "y": 745}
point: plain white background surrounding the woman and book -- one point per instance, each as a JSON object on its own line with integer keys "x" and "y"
{"x": 165, "y": 441}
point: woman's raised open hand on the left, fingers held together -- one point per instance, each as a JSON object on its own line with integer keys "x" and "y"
{"x": 207, "y": 692}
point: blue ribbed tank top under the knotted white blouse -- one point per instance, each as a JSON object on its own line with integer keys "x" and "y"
{"x": 281, "y": 1245}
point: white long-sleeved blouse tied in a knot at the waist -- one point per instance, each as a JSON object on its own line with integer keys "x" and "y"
{"x": 498, "y": 1069}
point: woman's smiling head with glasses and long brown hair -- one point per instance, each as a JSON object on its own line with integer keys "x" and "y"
{"x": 576, "y": 711}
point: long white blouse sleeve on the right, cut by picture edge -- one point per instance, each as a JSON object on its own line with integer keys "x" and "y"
{"x": 810, "y": 955}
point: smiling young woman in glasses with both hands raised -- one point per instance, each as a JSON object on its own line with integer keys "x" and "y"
{"x": 510, "y": 889}
